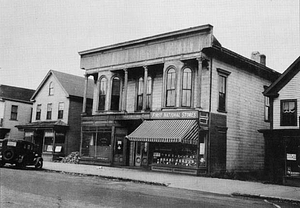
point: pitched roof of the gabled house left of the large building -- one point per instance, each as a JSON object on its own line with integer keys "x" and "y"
{"x": 72, "y": 84}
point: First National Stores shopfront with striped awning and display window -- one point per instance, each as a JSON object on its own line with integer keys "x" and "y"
{"x": 171, "y": 141}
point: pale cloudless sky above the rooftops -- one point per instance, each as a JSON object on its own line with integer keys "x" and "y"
{"x": 36, "y": 36}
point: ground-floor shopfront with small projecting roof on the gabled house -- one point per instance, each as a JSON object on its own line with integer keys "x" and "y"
{"x": 50, "y": 138}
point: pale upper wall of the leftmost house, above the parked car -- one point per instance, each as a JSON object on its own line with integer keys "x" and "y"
{"x": 23, "y": 117}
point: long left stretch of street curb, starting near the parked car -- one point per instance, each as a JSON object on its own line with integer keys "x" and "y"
{"x": 108, "y": 177}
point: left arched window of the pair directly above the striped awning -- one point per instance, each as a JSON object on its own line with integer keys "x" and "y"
{"x": 172, "y": 88}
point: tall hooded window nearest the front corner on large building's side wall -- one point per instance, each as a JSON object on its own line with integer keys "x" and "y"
{"x": 222, "y": 75}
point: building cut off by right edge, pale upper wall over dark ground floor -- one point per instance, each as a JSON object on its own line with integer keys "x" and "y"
{"x": 282, "y": 138}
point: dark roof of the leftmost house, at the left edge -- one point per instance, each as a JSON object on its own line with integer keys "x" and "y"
{"x": 15, "y": 93}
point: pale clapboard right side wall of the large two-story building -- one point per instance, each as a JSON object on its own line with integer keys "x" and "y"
{"x": 245, "y": 115}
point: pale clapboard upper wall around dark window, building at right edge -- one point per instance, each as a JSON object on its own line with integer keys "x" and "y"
{"x": 289, "y": 91}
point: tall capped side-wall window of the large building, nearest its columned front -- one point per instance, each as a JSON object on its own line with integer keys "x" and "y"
{"x": 222, "y": 89}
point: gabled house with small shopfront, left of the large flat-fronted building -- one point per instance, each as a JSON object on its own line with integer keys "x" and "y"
{"x": 56, "y": 116}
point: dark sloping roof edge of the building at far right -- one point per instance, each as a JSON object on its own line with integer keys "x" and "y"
{"x": 286, "y": 76}
